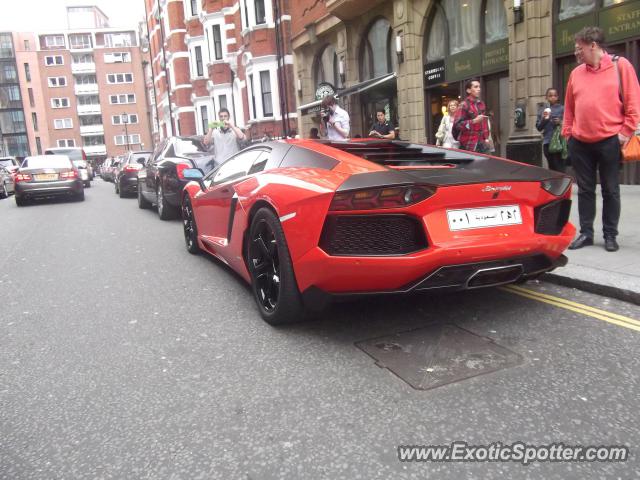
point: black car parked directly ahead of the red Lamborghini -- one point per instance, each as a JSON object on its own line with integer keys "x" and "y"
{"x": 161, "y": 181}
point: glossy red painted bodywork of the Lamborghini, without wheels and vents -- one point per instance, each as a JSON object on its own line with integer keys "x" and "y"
{"x": 302, "y": 196}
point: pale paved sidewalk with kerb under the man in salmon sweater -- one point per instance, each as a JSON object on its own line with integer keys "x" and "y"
{"x": 594, "y": 269}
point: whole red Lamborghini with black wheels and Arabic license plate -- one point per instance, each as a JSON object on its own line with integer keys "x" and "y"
{"x": 304, "y": 220}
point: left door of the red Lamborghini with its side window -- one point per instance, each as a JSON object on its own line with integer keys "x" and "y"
{"x": 216, "y": 205}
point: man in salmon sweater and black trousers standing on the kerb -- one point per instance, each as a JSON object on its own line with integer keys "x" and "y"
{"x": 598, "y": 124}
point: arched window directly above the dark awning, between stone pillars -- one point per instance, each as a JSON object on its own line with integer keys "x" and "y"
{"x": 376, "y": 51}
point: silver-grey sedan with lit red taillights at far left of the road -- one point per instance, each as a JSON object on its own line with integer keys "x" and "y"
{"x": 47, "y": 176}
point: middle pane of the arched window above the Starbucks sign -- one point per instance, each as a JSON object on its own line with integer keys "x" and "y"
{"x": 464, "y": 24}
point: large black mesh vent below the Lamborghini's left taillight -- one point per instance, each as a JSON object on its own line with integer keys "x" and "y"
{"x": 372, "y": 235}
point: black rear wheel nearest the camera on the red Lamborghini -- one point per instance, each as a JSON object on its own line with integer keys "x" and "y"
{"x": 272, "y": 278}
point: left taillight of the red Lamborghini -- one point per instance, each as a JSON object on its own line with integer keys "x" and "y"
{"x": 372, "y": 198}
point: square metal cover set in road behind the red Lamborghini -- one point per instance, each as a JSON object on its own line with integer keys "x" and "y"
{"x": 437, "y": 355}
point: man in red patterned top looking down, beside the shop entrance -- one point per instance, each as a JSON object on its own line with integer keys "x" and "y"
{"x": 471, "y": 126}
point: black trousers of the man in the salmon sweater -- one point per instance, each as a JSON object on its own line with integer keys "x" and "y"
{"x": 589, "y": 159}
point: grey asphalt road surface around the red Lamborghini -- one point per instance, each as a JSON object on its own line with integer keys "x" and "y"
{"x": 124, "y": 357}
